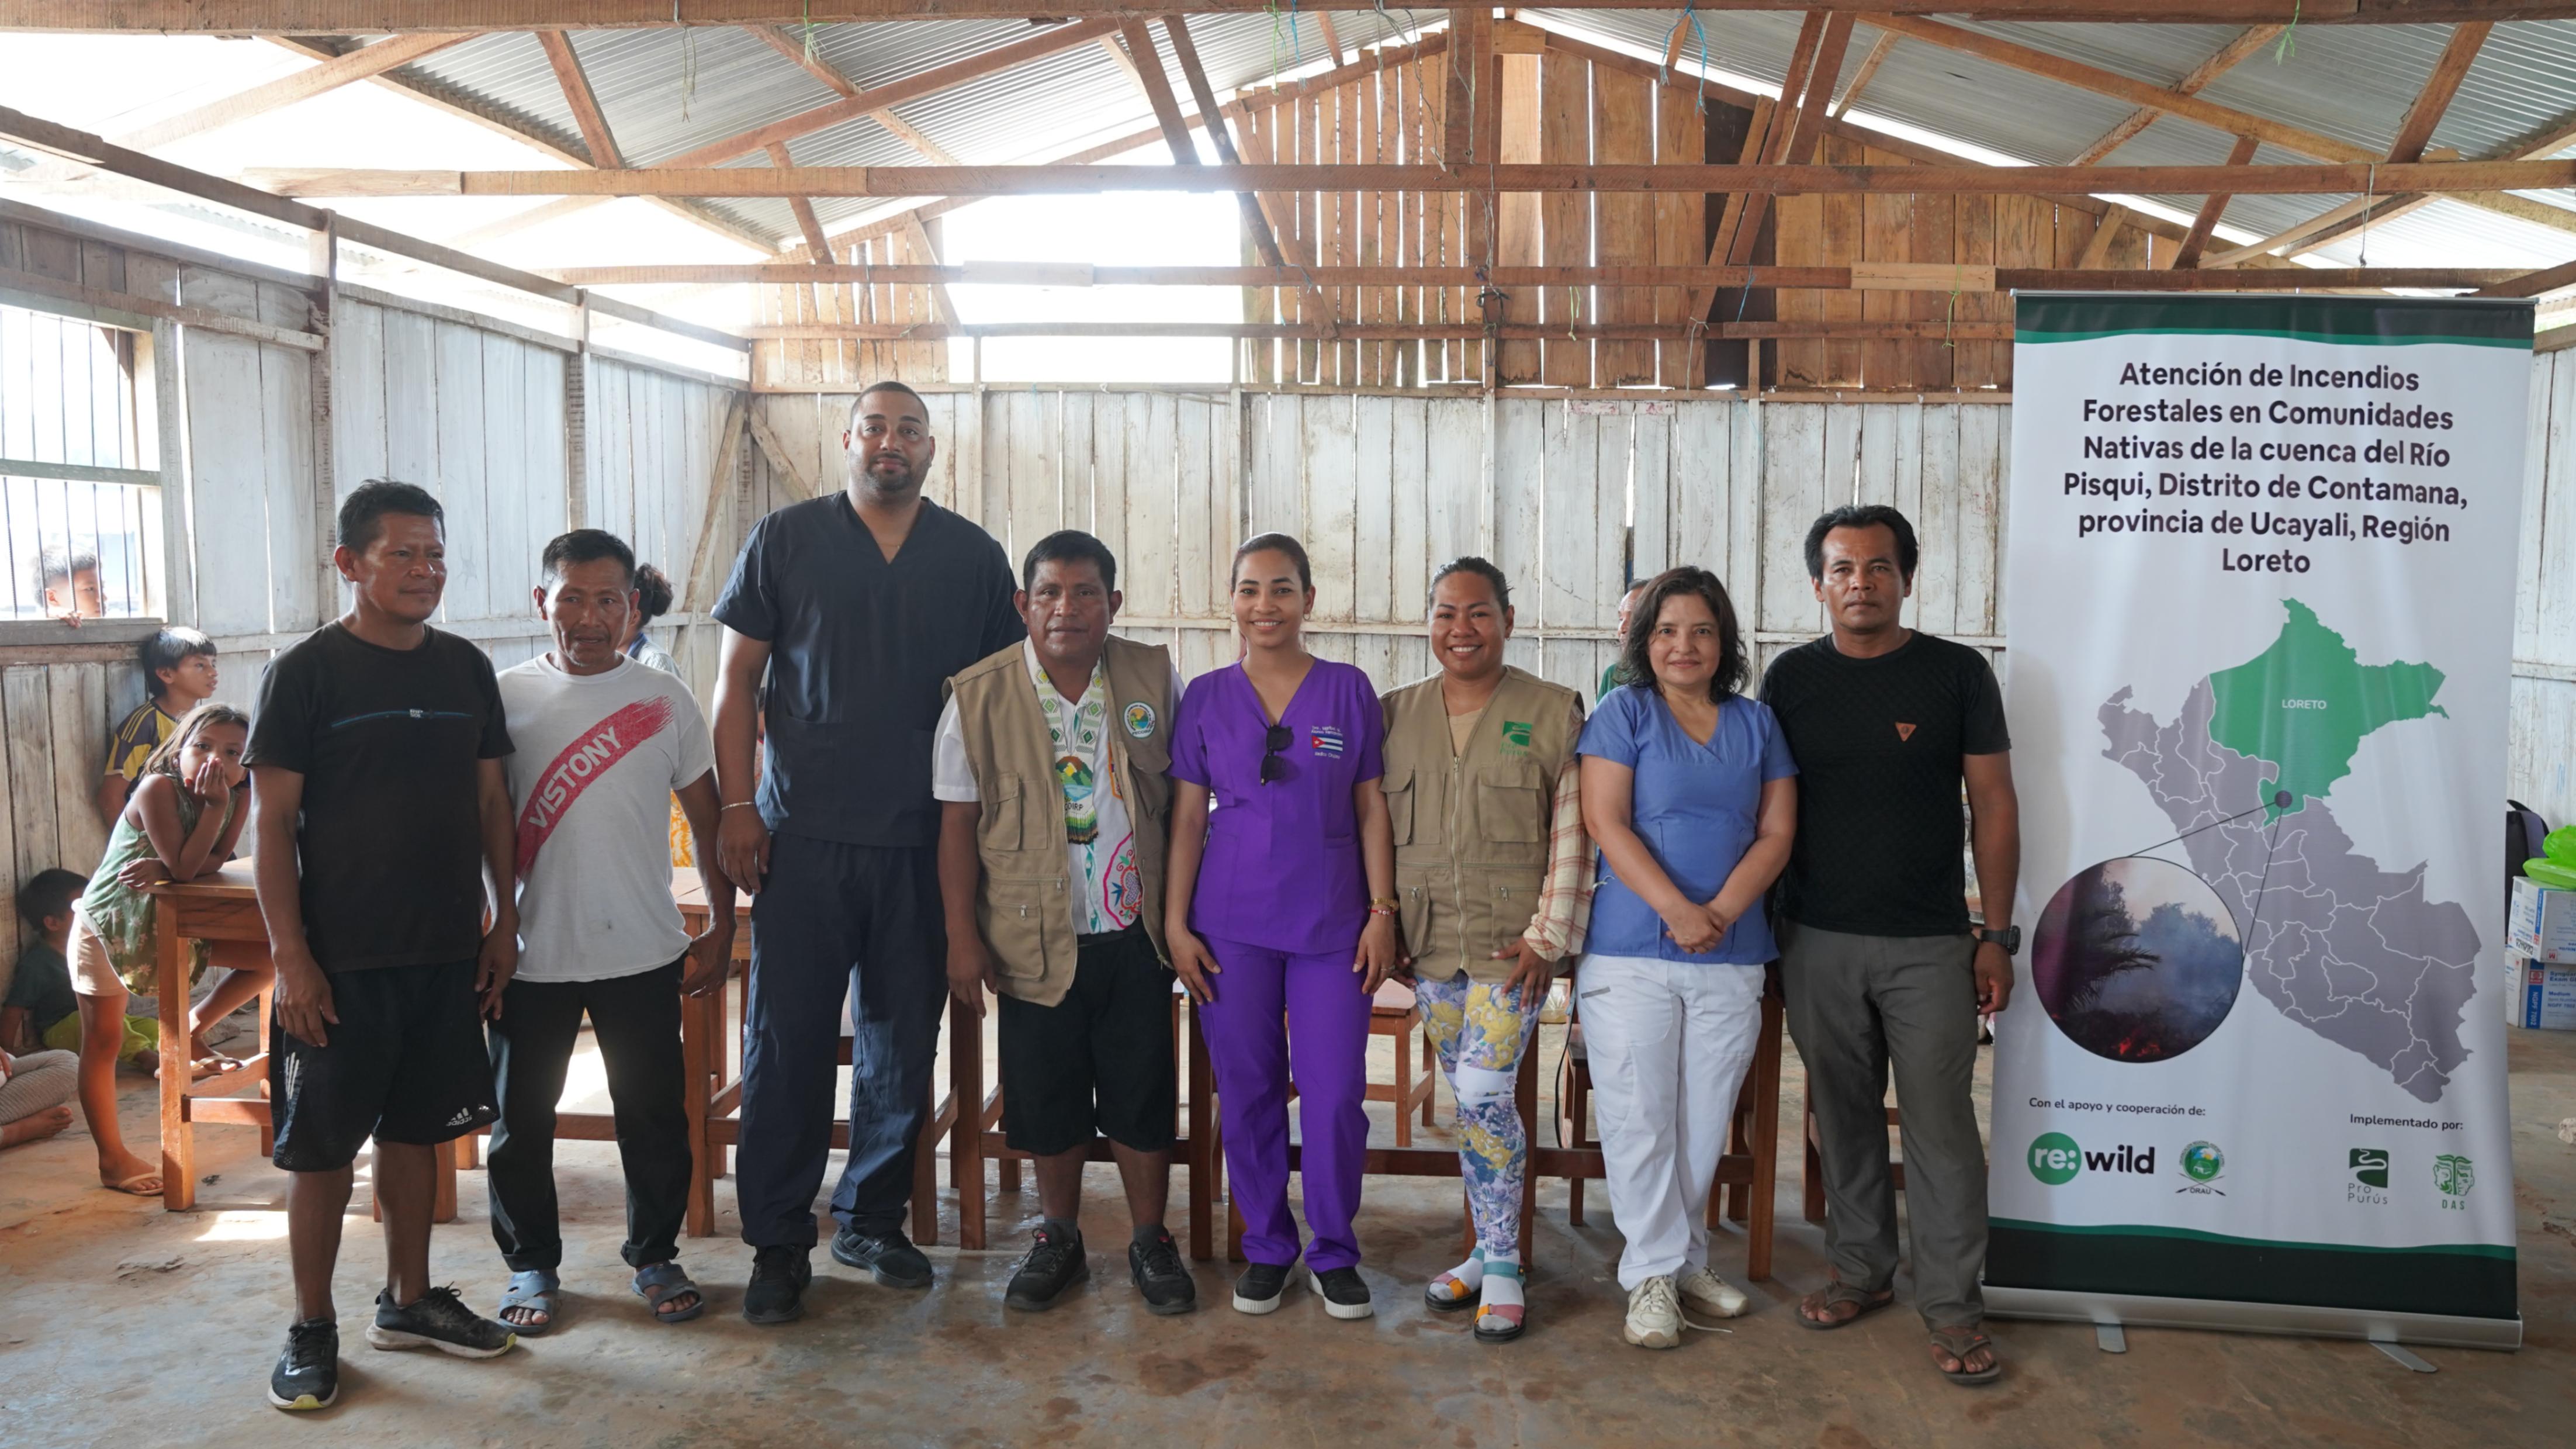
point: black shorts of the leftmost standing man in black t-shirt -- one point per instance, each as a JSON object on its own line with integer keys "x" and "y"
{"x": 406, "y": 1064}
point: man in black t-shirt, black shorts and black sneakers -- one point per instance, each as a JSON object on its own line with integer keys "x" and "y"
{"x": 383, "y": 813}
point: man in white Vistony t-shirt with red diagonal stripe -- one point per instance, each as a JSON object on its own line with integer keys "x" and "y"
{"x": 604, "y": 746}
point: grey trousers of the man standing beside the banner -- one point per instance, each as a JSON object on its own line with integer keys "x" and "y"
{"x": 1859, "y": 1007}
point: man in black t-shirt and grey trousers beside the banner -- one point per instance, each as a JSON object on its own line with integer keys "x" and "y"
{"x": 1877, "y": 948}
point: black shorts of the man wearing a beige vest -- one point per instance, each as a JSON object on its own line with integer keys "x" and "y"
{"x": 1099, "y": 1061}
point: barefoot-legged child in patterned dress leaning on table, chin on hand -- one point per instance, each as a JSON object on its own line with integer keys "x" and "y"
{"x": 182, "y": 824}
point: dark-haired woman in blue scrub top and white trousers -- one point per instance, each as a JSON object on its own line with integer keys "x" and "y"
{"x": 1691, "y": 795}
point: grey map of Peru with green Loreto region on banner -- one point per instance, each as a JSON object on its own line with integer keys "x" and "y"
{"x": 2335, "y": 942}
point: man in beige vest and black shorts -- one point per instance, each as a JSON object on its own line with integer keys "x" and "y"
{"x": 1055, "y": 801}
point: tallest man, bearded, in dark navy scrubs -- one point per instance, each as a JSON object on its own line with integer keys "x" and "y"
{"x": 857, "y": 607}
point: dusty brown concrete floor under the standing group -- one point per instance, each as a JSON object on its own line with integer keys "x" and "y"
{"x": 122, "y": 1324}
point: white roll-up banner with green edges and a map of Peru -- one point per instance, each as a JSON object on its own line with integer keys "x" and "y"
{"x": 2260, "y": 605}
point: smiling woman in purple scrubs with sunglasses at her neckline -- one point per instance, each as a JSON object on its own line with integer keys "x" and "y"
{"x": 1282, "y": 901}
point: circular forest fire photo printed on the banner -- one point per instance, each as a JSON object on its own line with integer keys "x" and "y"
{"x": 2137, "y": 960}
